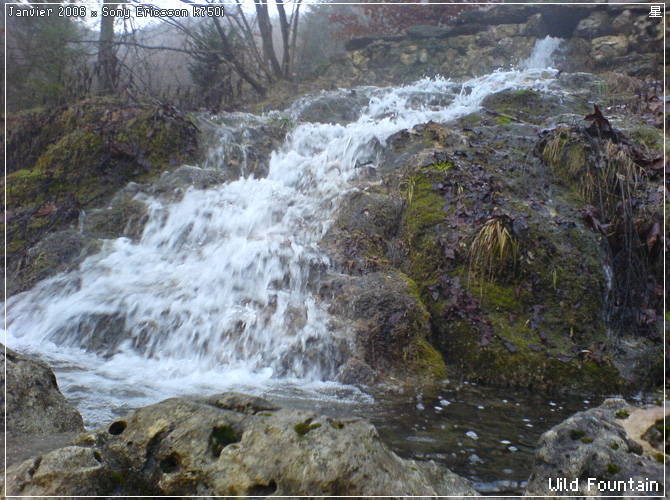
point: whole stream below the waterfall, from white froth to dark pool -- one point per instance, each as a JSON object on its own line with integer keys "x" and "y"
{"x": 485, "y": 434}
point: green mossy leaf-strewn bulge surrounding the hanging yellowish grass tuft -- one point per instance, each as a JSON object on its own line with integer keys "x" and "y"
{"x": 527, "y": 325}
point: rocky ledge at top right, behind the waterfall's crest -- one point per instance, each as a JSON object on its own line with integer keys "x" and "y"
{"x": 599, "y": 38}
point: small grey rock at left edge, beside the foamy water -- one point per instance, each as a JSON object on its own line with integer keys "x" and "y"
{"x": 35, "y": 404}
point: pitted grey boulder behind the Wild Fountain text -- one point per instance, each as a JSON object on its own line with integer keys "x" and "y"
{"x": 594, "y": 448}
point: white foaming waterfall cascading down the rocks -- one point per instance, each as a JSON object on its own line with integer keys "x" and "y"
{"x": 216, "y": 294}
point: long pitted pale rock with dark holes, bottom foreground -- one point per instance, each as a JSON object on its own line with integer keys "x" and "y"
{"x": 230, "y": 445}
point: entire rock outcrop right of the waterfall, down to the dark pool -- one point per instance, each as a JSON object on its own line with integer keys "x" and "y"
{"x": 414, "y": 276}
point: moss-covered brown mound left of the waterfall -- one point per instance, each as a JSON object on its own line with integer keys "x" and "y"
{"x": 77, "y": 158}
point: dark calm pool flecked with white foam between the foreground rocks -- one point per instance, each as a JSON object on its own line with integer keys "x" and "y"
{"x": 485, "y": 434}
